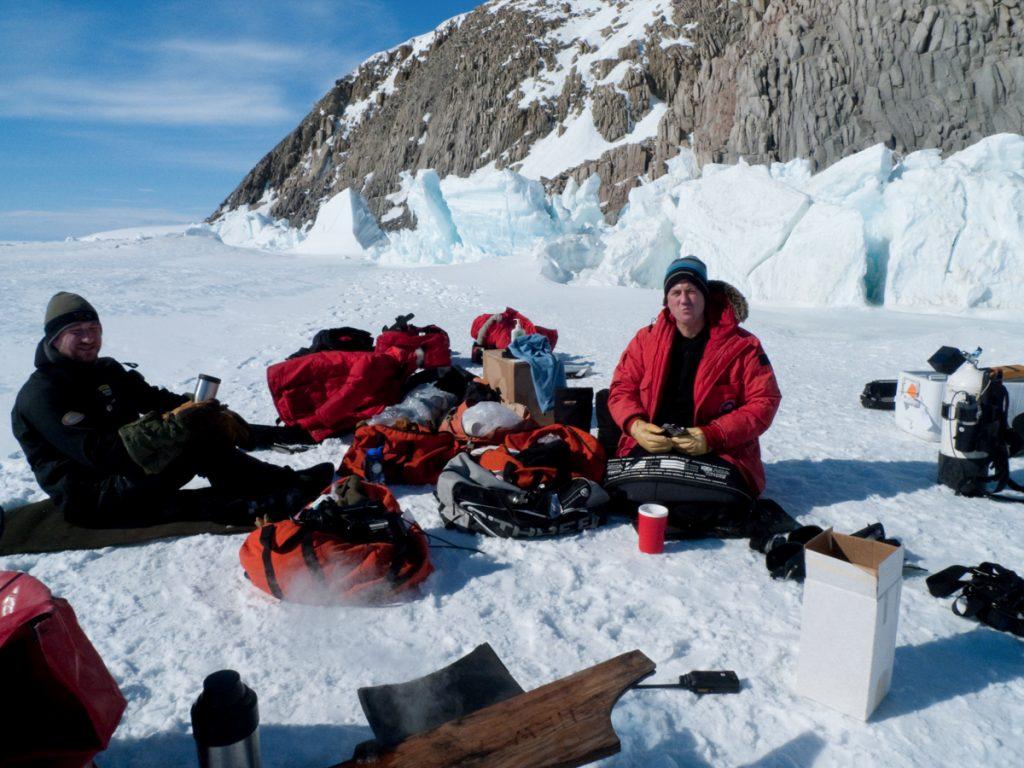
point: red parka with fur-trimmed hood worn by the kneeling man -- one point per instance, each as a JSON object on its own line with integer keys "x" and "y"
{"x": 736, "y": 395}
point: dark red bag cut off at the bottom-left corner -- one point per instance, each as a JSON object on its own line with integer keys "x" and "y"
{"x": 59, "y": 706}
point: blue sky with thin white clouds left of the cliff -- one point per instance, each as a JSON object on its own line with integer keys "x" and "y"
{"x": 125, "y": 114}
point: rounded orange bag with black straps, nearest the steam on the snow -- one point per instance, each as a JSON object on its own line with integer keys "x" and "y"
{"x": 301, "y": 564}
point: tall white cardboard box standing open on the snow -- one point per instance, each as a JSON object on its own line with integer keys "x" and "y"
{"x": 851, "y": 609}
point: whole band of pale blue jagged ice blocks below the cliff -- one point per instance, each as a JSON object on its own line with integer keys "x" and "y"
{"x": 921, "y": 233}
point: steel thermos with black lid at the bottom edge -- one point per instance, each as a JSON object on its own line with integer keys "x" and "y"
{"x": 226, "y": 723}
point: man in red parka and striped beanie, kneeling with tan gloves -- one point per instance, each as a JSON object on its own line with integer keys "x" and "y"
{"x": 696, "y": 368}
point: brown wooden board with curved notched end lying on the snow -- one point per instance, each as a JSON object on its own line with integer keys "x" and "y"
{"x": 565, "y": 724}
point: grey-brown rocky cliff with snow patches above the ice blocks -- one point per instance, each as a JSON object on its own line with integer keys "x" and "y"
{"x": 615, "y": 88}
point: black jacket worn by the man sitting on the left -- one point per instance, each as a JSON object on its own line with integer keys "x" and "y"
{"x": 67, "y": 418}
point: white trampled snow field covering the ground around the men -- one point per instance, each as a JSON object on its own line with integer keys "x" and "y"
{"x": 165, "y": 615}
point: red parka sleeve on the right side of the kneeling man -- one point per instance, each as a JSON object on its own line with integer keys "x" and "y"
{"x": 755, "y": 415}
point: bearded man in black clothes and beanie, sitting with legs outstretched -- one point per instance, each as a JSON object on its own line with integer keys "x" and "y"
{"x": 78, "y": 420}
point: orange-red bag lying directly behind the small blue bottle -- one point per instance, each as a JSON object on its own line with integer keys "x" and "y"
{"x": 411, "y": 456}
